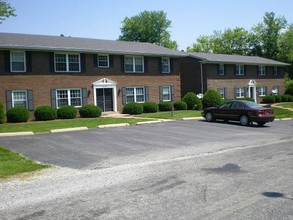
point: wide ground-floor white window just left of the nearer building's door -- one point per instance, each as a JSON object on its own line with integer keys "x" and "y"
{"x": 68, "y": 97}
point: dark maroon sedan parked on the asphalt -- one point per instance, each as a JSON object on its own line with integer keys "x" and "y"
{"x": 244, "y": 111}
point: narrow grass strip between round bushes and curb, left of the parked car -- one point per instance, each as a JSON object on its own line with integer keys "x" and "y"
{"x": 176, "y": 114}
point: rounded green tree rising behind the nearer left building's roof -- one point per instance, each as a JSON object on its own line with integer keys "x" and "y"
{"x": 148, "y": 26}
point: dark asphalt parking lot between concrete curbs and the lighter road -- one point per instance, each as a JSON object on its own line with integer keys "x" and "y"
{"x": 107, "y": 147}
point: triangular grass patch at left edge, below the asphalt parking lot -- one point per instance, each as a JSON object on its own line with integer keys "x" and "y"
{"x": 12, "y": 163}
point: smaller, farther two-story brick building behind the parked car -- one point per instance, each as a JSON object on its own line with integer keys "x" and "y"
{"x": 233, "y": 76}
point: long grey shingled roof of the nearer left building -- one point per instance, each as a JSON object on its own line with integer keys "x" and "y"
{"x": 59, "y": 43}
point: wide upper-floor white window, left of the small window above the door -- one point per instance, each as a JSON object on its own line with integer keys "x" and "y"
{"x": 67, "y": 62}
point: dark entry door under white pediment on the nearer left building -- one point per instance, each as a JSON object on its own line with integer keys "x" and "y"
{"x": 105, "y": 99}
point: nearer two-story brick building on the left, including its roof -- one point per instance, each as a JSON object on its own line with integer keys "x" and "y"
{"x": 40, "y": 70}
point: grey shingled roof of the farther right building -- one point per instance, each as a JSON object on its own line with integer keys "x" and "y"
{"x": 235, "y": 59}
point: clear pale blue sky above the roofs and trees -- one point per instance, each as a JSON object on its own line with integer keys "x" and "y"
{"x": 102, "y": 19}
